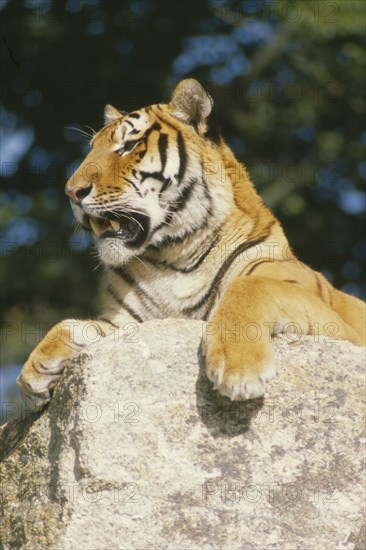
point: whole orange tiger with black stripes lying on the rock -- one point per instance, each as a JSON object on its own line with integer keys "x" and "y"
{"x": 183, "y": 233}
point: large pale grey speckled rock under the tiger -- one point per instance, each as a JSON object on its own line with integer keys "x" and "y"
{"x": 137, "y": 451}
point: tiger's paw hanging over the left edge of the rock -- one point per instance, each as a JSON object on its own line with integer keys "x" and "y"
{"x": 38, "y": 378}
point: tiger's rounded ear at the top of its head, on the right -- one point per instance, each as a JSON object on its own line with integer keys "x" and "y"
{"x": 191, "y": 104}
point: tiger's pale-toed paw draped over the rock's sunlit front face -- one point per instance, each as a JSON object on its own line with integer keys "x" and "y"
{"x": 238, "y": 369}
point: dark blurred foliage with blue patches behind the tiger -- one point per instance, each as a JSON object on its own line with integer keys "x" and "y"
{"x": 288, "y": 79}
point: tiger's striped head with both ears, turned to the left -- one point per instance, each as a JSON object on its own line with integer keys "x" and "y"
{"x": 144, "y": 183}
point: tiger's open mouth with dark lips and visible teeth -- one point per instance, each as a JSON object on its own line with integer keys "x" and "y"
{"x": 132, "y": 229}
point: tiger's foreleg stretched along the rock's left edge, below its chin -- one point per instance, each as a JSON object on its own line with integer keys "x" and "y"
{"x": 46, "y": 363}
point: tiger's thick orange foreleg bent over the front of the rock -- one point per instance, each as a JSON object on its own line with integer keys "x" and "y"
{"x": 237, "y": 341}
